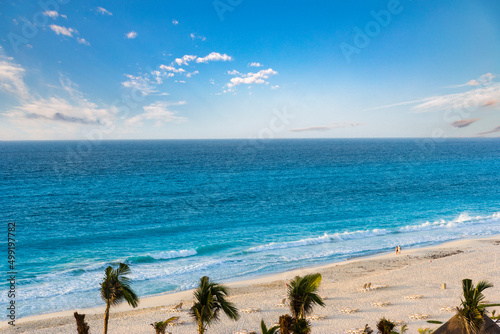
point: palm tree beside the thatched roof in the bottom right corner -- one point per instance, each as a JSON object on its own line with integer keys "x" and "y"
{"x": 472, "y": 309}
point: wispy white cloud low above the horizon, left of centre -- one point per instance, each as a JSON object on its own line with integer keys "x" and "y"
{"x": 159, "y": 112}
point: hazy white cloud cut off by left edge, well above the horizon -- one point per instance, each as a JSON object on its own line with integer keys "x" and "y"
{"x": 11, "y": 77}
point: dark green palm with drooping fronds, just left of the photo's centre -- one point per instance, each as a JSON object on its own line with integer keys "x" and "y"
{"x": 209, "y": 300}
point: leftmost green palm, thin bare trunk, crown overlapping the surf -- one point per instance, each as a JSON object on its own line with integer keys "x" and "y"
{"x": 115, "y": 288}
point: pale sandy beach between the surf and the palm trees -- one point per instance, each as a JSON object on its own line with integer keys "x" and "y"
{"x": 419, "y": 271}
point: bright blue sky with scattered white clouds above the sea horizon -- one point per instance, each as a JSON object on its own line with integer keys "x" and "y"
{"x": 78, "y": 70}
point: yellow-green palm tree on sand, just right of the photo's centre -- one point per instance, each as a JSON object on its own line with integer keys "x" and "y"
{"x": 302, "y": 292}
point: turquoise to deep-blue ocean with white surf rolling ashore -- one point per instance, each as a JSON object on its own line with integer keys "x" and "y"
{"x": 178, "y": 210}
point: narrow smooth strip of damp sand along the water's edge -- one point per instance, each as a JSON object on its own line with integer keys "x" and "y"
{"x": 166, "y": 299}
